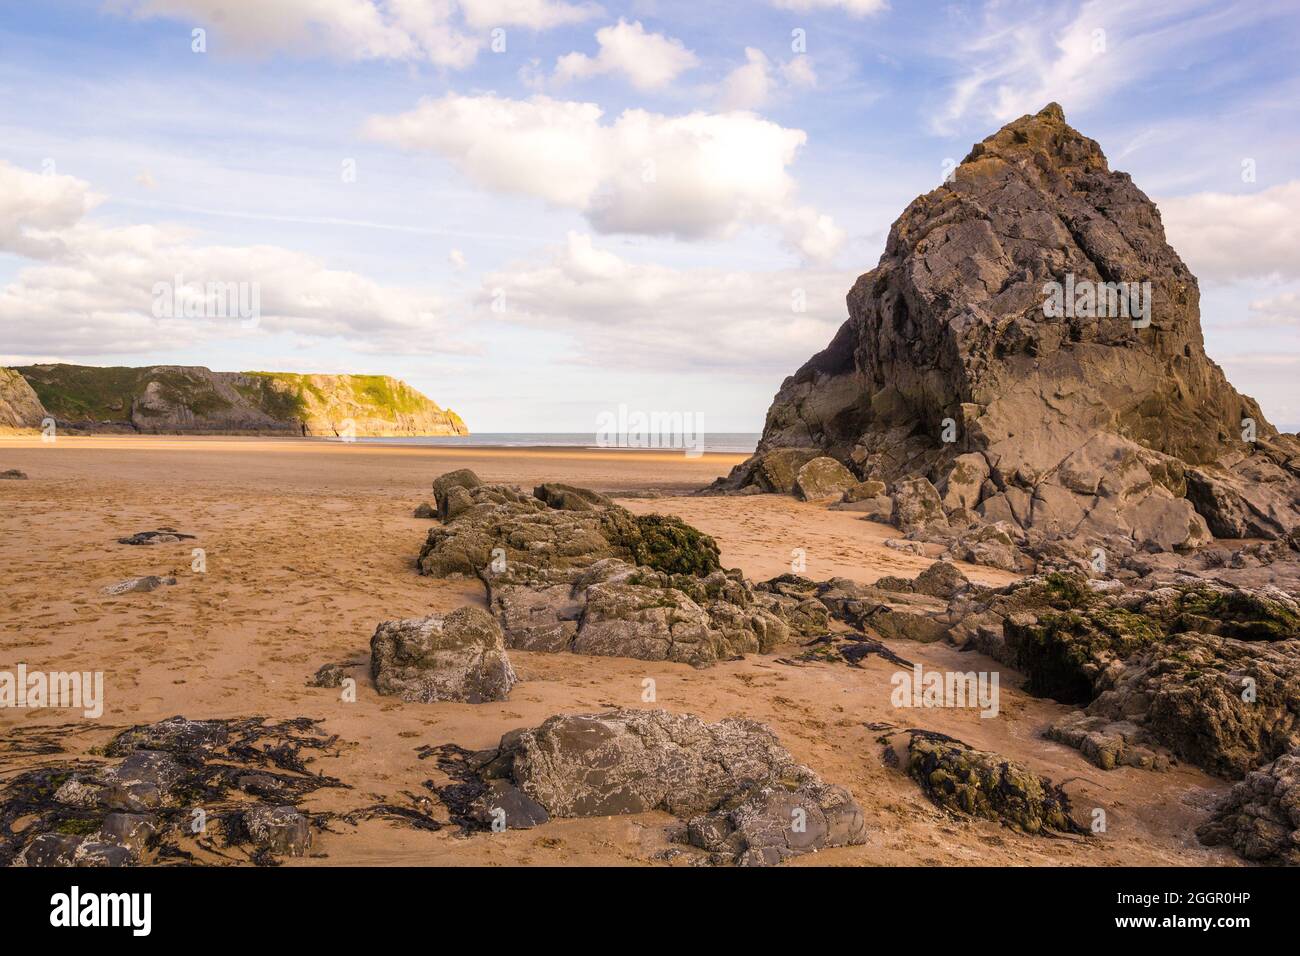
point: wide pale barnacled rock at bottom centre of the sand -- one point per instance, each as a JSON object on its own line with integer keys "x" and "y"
{"x": 742, "y": 794}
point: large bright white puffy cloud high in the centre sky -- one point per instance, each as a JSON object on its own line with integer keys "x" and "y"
{"x": 694, "y": 176}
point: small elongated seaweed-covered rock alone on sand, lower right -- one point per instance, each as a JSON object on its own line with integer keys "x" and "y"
{"x": 985, "y": 785}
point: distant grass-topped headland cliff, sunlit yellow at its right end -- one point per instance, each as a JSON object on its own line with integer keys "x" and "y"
{"x": 184, "y": 400}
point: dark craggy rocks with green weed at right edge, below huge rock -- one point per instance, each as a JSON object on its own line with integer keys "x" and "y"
{"x": 1198, "y": 672}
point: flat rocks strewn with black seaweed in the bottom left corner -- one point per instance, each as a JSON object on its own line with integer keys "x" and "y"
{"x": 177, "y": 790}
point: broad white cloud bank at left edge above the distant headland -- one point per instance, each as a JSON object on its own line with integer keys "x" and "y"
{"x": 93, "y": 289}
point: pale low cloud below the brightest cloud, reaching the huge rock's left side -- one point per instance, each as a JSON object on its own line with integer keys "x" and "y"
{"x": 629, "y": 314}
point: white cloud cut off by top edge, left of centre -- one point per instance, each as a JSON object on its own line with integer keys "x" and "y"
{"x": 448, "y": 33}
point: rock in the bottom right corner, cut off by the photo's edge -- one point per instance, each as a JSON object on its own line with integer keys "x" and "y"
{"x": 1260, "y": 817}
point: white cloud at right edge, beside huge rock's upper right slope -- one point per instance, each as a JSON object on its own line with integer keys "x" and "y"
{"x": 1240, "y": 236}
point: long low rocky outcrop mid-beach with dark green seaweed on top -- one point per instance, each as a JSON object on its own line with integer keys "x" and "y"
{"x": 567, "y": 570}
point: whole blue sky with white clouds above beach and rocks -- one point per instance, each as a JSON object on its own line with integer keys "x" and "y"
{"x": 564, "y": 207}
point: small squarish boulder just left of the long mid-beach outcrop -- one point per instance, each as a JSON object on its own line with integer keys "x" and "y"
{"x": 461, "y": 657}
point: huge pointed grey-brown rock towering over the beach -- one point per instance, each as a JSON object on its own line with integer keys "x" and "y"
{"x": 956, "y": 366}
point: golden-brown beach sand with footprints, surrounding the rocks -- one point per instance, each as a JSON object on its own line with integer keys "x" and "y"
{"x": 311, "y": 544}
